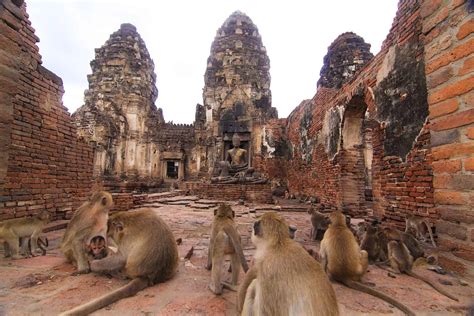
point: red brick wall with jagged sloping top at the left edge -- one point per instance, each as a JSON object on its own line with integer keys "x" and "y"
{"x": 42, "y": 164}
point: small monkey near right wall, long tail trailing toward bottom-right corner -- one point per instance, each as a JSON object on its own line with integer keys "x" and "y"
{"x": 401, "y": 261}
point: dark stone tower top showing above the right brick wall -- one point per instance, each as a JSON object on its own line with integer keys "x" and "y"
{"x": 345, "y": 56}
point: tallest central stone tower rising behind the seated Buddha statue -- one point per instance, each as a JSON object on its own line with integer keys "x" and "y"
{"x": 236, "y": 94}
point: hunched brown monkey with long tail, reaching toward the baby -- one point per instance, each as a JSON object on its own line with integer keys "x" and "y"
{"x": 147, "y": 253}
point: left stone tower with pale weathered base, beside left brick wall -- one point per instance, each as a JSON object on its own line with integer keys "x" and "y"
{"x": 119, "y": 111}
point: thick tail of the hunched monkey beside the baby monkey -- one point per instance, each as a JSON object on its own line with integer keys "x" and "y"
{"x": 127, "y": 290}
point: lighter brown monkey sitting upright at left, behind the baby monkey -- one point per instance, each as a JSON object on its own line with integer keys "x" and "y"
{"x": 88, "y": 222}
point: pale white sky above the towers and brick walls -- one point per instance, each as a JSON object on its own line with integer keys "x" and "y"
{"x": 179, "y": 34}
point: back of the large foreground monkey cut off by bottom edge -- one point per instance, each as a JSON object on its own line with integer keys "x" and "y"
{"x": 293, "y": 283}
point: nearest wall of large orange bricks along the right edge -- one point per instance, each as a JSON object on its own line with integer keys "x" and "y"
{"x": 449, "y": 49}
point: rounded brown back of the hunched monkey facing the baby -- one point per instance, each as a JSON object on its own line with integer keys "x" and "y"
{"x": 152, "y": 247}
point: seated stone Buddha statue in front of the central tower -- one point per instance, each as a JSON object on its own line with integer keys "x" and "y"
{"x": 235, "y": 168}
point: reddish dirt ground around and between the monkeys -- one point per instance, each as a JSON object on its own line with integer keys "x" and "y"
{"x": 44, "y": 285}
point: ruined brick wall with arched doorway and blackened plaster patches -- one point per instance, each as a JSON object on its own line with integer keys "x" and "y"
{"x": 386, "y": 170}
